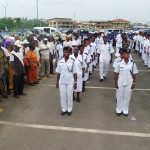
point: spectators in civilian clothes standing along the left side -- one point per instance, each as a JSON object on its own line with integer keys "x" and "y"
{"x": 24, "y": 61}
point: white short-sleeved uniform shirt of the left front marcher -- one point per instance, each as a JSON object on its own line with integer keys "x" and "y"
{"x": 66, "y": 70}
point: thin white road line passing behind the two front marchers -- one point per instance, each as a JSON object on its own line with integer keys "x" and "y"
{"x": 95, "y": 87}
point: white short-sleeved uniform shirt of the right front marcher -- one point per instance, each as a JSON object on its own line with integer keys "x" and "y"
{"x": 125, "y": 72}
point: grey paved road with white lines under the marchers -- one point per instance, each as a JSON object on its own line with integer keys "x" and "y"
{"x": 34, "y": 122}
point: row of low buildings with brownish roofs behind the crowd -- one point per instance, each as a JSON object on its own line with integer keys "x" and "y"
{"x": 67, "y": 23}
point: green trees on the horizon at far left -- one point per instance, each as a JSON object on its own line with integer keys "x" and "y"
{"x": 15, "y": 24}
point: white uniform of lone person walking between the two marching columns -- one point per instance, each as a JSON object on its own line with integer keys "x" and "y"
{"x": 105, "y": 51}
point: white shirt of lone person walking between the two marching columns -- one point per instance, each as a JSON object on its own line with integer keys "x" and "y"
{"x": 105, "y": 51}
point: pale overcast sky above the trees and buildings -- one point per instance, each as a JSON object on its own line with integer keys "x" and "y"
{"x": 132, "y": 10}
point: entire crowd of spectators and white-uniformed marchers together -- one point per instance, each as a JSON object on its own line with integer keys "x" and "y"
{"x": 75, "y": 58}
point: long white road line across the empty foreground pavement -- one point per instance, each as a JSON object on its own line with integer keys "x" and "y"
{"x": 71, "y": 129}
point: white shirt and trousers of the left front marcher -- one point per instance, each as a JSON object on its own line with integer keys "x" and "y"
{"x": 66, "y": 71}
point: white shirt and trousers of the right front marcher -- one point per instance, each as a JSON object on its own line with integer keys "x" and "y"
{"x": 125, "y": 81}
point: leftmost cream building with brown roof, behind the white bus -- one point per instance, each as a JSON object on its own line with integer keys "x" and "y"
{"x": 64, "y": 23}
